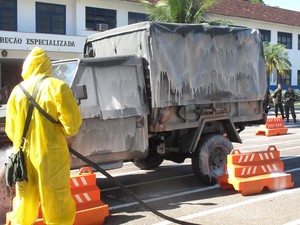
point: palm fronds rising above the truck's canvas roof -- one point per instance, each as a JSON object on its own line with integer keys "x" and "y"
{"x": 178, "y": 11}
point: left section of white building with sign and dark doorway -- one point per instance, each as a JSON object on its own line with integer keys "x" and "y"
{"x": 58, "y": 26}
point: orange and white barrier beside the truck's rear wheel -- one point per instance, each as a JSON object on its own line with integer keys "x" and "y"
{"x": 250, "y": 173}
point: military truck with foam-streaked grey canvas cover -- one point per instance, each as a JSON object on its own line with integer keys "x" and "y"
{"x": 152, "y": 91}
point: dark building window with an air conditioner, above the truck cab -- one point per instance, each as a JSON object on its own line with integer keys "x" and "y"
{"x": 100, "y": 19}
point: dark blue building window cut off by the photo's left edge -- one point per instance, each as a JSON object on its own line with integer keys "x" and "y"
{"x": 8, "y": 15}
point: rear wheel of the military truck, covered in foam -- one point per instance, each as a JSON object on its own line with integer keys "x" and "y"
{"x": 209, "y": 159}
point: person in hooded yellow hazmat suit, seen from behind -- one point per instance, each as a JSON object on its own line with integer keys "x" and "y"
{"x": 47, "y": 155}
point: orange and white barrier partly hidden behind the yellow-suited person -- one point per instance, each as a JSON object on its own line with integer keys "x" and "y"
{"x": 90, "y": 210}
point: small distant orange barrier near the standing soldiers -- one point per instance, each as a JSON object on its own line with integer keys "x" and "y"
{"x": 274, "y": 126}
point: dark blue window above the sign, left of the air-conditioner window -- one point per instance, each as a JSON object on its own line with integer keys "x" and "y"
{"x": 50, "y": 18}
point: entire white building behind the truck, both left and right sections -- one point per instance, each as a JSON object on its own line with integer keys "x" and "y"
{"x": 60, "y": 27}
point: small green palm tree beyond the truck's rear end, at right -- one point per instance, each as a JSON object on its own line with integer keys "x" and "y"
{"x": 276, "y": 57}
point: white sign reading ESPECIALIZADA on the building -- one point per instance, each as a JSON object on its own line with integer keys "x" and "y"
{"x": 49, "y": 42}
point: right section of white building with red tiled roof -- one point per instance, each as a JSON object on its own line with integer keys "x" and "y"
{"x": 276, "y": 25}
